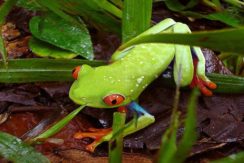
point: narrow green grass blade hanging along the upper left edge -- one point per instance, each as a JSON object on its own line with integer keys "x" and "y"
{"x": 4, "y": 10}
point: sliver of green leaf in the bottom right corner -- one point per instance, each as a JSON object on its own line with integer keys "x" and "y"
{"x": 234, "y": 158}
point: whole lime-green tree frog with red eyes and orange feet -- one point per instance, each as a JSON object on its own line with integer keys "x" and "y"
{"x": 131, "y": 71}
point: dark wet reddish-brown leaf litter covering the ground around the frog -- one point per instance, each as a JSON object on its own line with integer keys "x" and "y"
{"x": 28, "y": 109}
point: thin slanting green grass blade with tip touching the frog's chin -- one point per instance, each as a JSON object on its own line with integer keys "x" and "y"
{"x": 58, "y": 126}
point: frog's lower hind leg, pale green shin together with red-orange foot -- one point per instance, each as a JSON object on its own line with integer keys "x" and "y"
{"x": 199, "y": 78}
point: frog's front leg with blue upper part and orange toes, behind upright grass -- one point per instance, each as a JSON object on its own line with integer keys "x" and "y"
{"x": 102, "y": 135}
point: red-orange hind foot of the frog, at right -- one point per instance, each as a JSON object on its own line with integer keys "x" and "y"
{"x": 203, "y": 83}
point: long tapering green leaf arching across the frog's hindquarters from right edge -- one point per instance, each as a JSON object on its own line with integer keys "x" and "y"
{"x": 228, "y": 40}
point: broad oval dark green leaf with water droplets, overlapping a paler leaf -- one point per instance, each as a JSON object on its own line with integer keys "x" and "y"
{"x": 56, "y": 31}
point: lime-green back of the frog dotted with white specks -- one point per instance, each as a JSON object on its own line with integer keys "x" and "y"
{"x": 139, "y": 67}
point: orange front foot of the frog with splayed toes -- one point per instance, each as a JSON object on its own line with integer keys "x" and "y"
{"x": 96, "y": 134}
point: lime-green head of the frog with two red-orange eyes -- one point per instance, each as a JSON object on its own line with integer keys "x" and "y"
{"x": 92, "y": 88}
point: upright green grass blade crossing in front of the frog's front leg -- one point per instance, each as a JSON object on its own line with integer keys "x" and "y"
{"x": 116, "y": 144}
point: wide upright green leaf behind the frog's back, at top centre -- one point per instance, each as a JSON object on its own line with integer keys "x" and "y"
{"x": 135, "y": 19}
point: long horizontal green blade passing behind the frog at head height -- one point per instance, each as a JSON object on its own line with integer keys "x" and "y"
{"x": 33, "y": 70}
